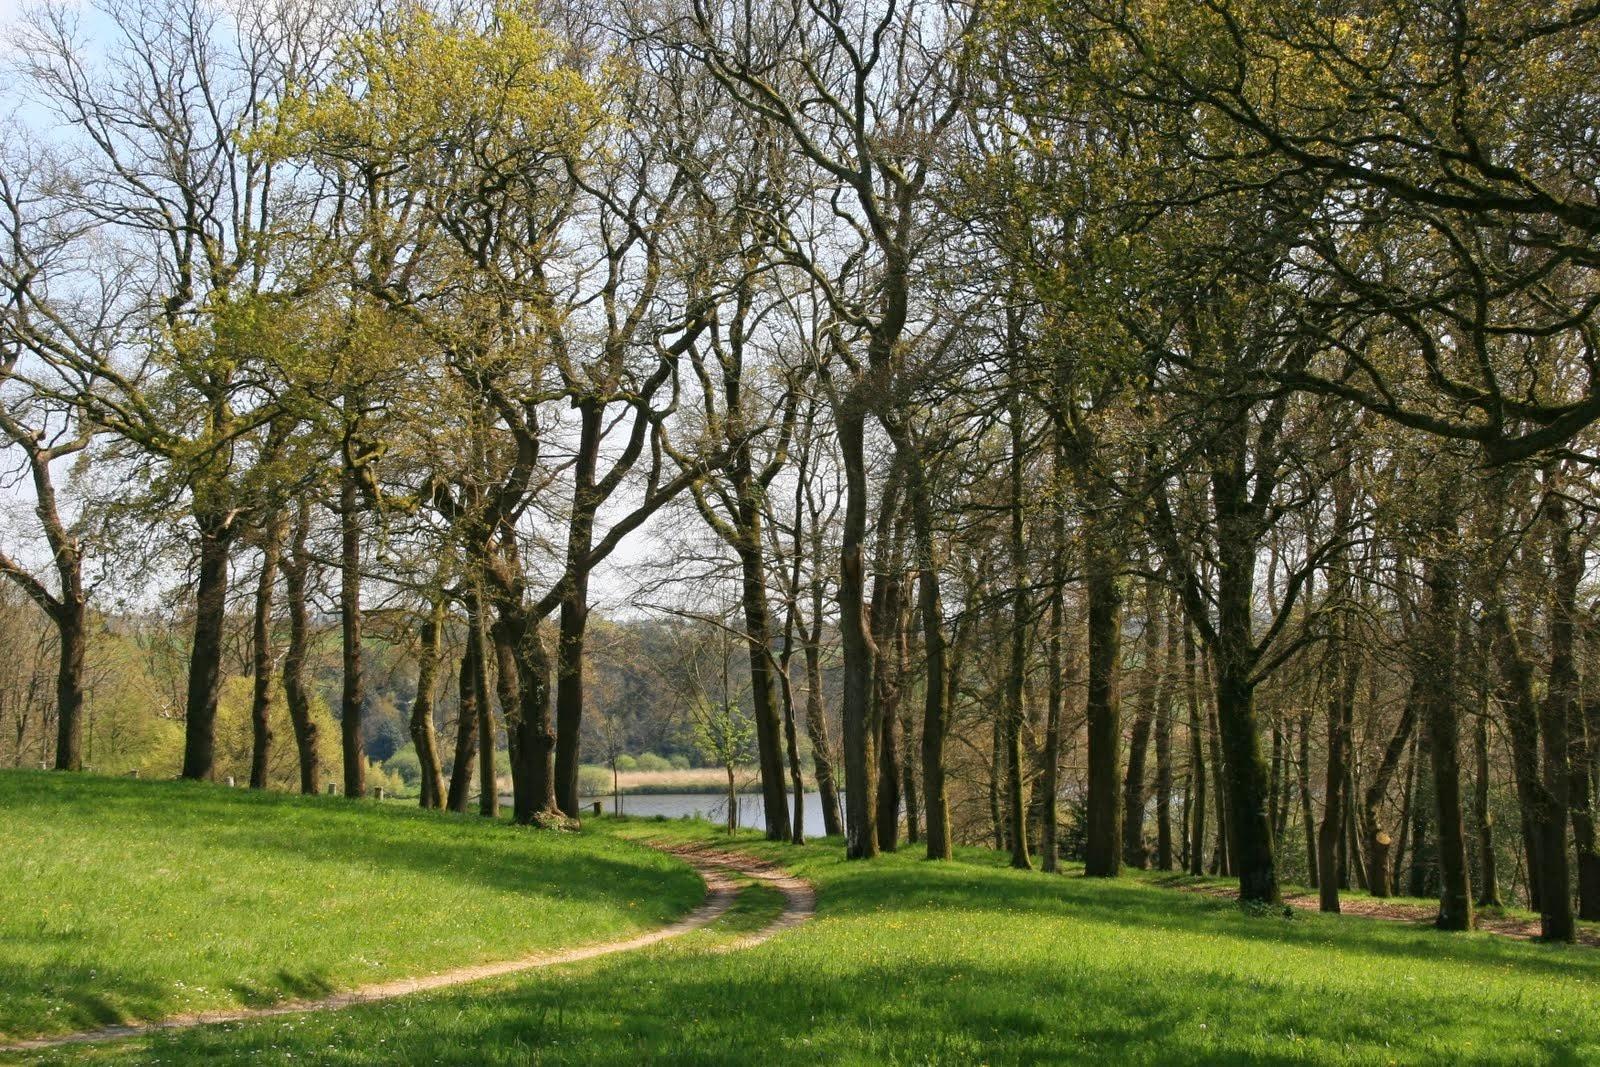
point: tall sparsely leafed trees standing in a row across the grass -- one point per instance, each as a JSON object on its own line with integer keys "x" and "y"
{"x": 956, "y": 329}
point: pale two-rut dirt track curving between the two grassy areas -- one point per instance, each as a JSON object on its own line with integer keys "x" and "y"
{"x": 714, "y": 868}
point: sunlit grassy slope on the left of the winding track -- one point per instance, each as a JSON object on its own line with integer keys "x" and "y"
{"x": 126, "y": 900}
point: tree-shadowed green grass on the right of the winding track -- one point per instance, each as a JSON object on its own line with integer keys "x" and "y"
{"x": 969, "y": 962}
